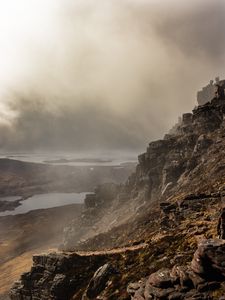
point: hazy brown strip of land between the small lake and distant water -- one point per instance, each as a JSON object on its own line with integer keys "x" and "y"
{"x": 25, "y": 179}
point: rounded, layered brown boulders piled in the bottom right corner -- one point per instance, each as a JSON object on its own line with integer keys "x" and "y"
{"x": 199, "y": 280}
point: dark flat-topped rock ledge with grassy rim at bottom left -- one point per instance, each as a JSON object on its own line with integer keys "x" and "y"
{"x": 60, "y": 276}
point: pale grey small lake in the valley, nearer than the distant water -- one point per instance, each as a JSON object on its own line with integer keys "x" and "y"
{"x": 44, "y": 201}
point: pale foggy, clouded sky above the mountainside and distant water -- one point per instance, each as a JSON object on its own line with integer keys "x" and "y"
{"x": 92, "y": 75}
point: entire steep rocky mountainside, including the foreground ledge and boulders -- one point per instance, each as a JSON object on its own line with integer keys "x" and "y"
{"x": 167, "y": 211}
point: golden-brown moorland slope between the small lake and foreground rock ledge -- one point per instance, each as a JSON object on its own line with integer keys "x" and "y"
{"x": 23, "y": 235}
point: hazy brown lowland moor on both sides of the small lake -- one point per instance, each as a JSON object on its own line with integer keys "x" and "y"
{"x": 23, "y": 235}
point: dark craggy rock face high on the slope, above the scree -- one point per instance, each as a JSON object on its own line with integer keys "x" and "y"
{"x": 168, "y": 162}
